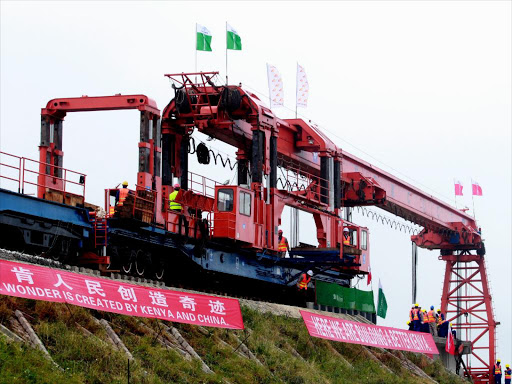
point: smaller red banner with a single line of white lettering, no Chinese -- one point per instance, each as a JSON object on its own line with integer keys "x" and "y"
{"x": 353, "y": 332}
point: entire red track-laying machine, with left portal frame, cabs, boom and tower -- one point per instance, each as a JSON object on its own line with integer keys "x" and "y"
{"x": 233, "y": 229}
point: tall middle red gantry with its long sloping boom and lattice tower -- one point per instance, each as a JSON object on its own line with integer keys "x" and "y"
{"x": 239, "y": 118}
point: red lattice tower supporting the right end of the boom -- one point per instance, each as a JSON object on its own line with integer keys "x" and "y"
{"x": 467, "y": 303}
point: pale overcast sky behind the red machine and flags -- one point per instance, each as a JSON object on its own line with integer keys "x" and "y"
{"x": 420, "y": 89}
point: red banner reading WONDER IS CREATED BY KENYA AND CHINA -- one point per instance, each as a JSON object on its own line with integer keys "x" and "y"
{"x": 42, "y": 283}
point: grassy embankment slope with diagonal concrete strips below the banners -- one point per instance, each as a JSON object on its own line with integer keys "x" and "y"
{"x": 287, "y": 353}
